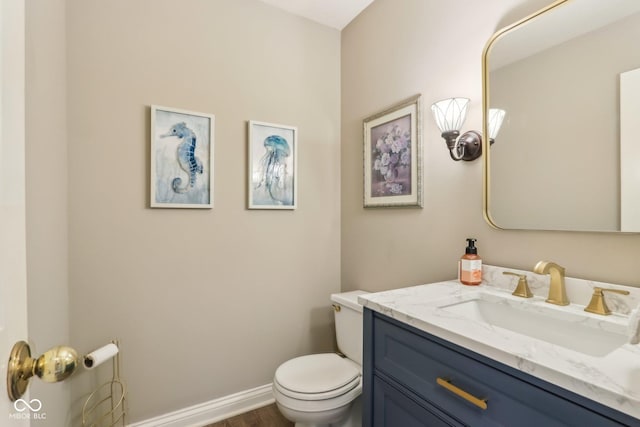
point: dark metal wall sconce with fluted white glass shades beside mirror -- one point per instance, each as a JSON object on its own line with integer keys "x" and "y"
{"x": 450, "y": 115}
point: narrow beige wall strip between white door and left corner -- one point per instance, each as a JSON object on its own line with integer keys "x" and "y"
{"x": 46, "y": 185}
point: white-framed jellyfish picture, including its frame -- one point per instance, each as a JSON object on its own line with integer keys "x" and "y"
{"x": 273, "y": 152}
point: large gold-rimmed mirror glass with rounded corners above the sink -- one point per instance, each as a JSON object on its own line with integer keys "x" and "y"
{"x": 568, "y": 154}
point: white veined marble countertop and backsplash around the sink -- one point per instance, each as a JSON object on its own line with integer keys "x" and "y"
{"x": 612, "y": 379}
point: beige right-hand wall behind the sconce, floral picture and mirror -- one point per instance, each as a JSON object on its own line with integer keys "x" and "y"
{"x": 394, "y": 50}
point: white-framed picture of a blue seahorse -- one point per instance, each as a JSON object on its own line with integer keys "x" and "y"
{"x": 181, "y": 158}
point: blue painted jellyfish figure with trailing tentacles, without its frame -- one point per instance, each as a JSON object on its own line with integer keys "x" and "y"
{"x": 273, "y": 172}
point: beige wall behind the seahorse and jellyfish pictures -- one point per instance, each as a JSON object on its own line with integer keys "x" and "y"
{"x": 206, "y": 303}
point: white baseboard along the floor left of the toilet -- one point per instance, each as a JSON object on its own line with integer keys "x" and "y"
{"x": 214, "y": 410}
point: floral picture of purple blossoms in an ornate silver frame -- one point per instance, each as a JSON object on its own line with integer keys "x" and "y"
{"x": 393, "y": 156}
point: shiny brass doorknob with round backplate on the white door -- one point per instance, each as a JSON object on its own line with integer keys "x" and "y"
{"x": 54, "y": 365}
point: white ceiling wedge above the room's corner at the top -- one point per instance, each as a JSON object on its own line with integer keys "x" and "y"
{"x": 332, "y": 13}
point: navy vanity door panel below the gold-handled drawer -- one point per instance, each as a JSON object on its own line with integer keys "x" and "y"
{"x": 393, "y": 408}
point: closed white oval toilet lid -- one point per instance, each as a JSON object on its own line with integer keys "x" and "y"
{"x": 318, "y": 373}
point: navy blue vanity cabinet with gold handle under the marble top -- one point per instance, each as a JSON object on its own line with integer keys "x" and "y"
{"x": 412, "y": 378}
